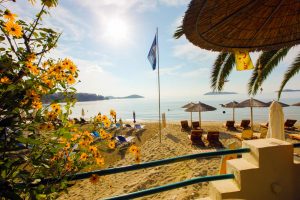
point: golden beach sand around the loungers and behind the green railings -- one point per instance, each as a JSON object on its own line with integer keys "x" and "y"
{"x": 174, "y": 143}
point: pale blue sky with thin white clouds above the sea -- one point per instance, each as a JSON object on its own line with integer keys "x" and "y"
{"x": 109, "y": 41}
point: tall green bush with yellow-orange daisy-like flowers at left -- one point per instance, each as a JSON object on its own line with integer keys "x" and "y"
{"x": 39, "y": 141}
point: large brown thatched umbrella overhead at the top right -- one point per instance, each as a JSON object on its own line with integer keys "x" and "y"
{"x": 226, "y": 25}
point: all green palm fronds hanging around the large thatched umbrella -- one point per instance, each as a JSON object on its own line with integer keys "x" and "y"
{"x": 266, "y": 62}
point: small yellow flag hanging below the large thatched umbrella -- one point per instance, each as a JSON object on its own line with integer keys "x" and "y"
{"x": 243, "y": 60}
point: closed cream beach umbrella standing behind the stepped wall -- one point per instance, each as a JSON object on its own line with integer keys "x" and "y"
{"x": 276, "y": 121}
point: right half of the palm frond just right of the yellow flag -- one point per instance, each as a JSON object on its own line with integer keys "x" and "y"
{"x": 268, "y": 63}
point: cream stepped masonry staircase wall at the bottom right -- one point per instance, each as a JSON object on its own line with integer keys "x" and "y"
{"x": 267, "y": 172}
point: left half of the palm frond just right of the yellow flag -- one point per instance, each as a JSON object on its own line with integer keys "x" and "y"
{"x": 263, "y": 59}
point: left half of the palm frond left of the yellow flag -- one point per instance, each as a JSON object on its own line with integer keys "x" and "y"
{"x": 215, "y": 72}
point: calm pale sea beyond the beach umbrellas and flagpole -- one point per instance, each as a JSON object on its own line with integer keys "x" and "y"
{"x": 146, "y": 109}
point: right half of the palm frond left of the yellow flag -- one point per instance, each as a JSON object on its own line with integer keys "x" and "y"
{"x": 227, "y": 68}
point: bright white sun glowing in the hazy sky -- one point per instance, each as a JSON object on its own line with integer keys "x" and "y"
{"x": 116, "y": 30}
